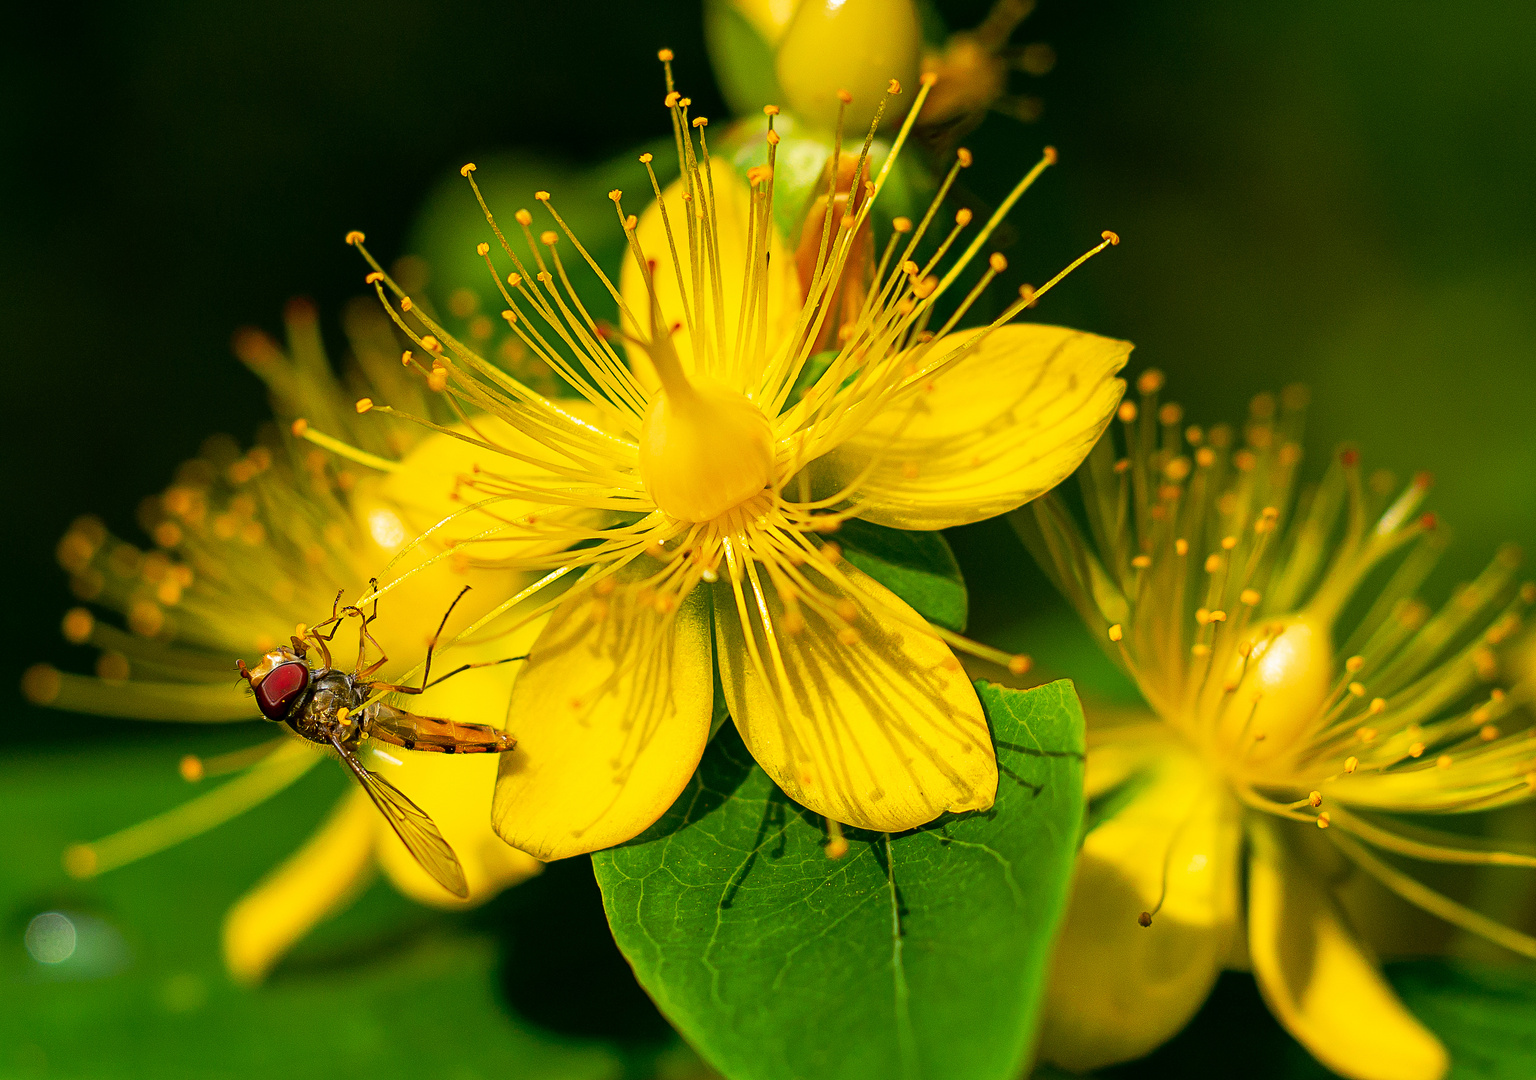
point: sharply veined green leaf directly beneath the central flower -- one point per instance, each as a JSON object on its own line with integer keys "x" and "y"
{"x": 918, "y": 956}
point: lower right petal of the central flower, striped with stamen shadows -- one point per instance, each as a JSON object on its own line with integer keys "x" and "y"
{"x": 879, "y": 730}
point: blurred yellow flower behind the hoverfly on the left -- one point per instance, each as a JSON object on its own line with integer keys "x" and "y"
{"x": 247, "y": 548}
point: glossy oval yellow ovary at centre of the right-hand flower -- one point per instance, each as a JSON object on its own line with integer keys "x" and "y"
{"x": 1279, "y": 684}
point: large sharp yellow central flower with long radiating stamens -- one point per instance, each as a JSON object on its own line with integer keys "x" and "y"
{"x": 694, "y": 495}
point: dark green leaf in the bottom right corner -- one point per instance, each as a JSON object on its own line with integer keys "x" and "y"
{"x": 1485, "y": 1015}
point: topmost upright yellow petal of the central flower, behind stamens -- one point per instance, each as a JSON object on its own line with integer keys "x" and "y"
{"x": 733, "y": 214}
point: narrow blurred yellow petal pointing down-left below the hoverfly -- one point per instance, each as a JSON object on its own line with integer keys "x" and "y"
{"x": 320, "y": 878}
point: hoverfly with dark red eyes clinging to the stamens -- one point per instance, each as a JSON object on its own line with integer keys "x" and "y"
{"x": 340, "y": 709}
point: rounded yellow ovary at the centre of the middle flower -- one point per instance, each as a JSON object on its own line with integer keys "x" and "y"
{"x": 704, "y": 449}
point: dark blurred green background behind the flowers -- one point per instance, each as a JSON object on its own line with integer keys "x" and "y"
{"x": 1317, "y": 191}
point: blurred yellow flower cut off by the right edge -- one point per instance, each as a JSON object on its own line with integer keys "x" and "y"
{"x": 1306, "y": 701}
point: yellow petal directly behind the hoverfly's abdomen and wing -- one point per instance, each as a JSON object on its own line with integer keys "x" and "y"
{"x": 455, "y": 790}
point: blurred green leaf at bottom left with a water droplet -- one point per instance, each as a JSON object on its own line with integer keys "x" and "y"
{"x": 388, "y": 990}
